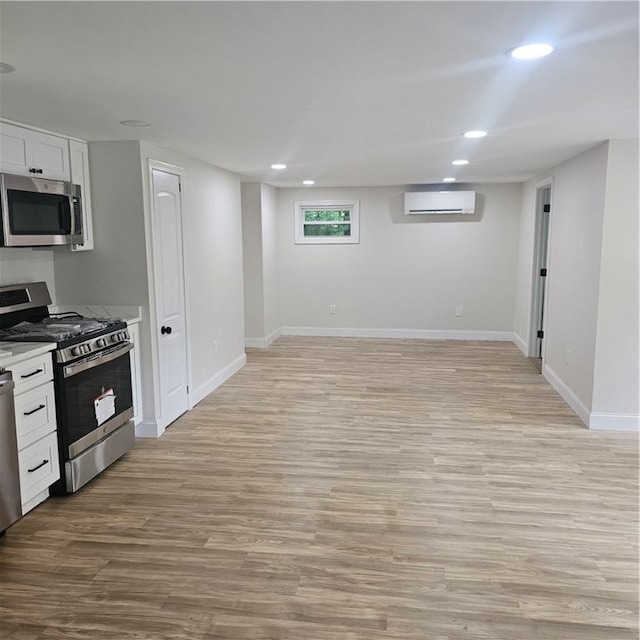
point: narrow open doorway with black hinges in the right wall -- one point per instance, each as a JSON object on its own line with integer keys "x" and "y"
{"x": 541, "y": 274}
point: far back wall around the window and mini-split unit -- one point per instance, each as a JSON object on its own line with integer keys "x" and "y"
{"x": 407, "y": 273}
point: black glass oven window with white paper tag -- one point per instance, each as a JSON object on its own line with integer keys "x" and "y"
{"x": 95, "y": 396}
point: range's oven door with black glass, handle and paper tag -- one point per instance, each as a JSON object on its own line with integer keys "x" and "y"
{"x": 95, "y": 398}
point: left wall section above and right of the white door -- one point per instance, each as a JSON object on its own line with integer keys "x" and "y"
{"x": 213, "y": 268}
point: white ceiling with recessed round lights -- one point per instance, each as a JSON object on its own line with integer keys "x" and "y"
{"x": 346, "y": 93}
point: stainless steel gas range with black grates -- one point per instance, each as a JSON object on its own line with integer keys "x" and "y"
{"x": 92, "y": 379}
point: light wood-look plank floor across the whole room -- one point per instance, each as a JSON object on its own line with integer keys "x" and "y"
{"x": 346, "y": 489}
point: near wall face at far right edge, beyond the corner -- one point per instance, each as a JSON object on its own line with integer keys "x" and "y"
{"x": 616, "y": 382}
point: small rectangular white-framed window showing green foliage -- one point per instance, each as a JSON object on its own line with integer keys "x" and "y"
{"x": 327, "y": 222}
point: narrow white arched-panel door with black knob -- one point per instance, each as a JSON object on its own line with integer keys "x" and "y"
{"x": 169, "y": 293}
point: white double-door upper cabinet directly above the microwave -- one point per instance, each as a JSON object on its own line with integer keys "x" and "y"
{"x": 33, "y": 153}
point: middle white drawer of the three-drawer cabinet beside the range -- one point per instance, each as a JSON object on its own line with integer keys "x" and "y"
{"x": 35, "y": 414}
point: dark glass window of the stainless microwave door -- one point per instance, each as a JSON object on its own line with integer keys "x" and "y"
{"x": 38, "y": 213}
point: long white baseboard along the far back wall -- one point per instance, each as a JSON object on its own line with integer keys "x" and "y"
{"x": 416, "y": 334}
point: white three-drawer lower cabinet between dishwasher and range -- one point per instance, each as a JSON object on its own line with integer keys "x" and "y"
{"x": 35, "y": 407}
